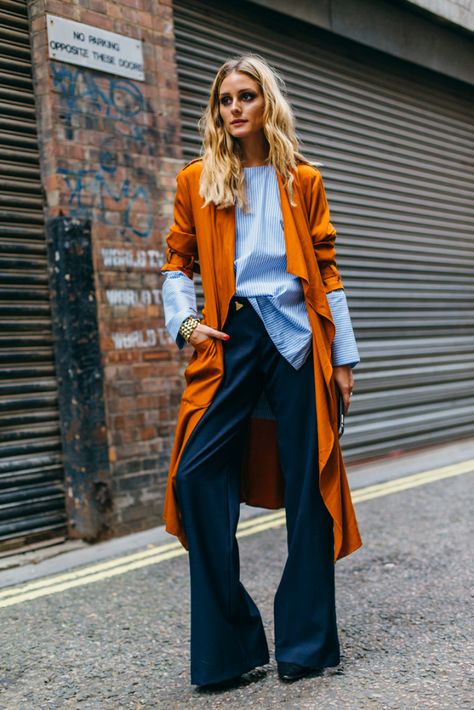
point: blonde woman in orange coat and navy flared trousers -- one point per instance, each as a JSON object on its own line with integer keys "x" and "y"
{"x": 258, "y": 420}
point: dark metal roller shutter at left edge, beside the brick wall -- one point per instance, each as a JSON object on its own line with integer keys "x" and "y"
{"x": 32, "y": 503}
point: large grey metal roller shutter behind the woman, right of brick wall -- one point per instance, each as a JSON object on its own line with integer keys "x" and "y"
{"x": 397, "y": 148}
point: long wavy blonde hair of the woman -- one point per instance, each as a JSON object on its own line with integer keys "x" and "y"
{"x": 222, "y": 177}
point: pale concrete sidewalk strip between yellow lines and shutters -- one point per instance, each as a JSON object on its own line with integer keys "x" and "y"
{"x": 16, "y": 569}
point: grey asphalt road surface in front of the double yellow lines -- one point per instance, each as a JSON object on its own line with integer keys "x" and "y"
{"x": 404, "y": 611}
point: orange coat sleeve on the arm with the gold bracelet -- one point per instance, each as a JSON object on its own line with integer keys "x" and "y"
{"x": 182, "y": 252}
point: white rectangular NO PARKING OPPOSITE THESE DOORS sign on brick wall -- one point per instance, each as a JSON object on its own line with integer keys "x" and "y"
{"x": 88, "y": 46}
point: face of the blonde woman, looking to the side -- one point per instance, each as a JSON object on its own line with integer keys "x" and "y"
{"x": 241, "y": 105}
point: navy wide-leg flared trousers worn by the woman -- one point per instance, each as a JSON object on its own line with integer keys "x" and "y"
{"x": 227, "y": 636}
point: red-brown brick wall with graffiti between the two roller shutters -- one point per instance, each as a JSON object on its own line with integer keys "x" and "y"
{"x": 110, "y": 150}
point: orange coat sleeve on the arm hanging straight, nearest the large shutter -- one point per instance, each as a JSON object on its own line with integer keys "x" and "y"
{"x": 323, "y": 234}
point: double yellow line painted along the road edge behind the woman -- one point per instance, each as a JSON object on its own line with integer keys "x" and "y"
{"x": 159, "y": 553}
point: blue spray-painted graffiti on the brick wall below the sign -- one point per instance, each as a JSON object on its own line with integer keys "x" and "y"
{"x": 115, "y": 107}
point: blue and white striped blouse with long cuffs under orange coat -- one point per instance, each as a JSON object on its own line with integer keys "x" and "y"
{"x": 261, "y": 276}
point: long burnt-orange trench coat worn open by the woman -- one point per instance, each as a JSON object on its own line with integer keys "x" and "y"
{"x": 203, "y": 239}
